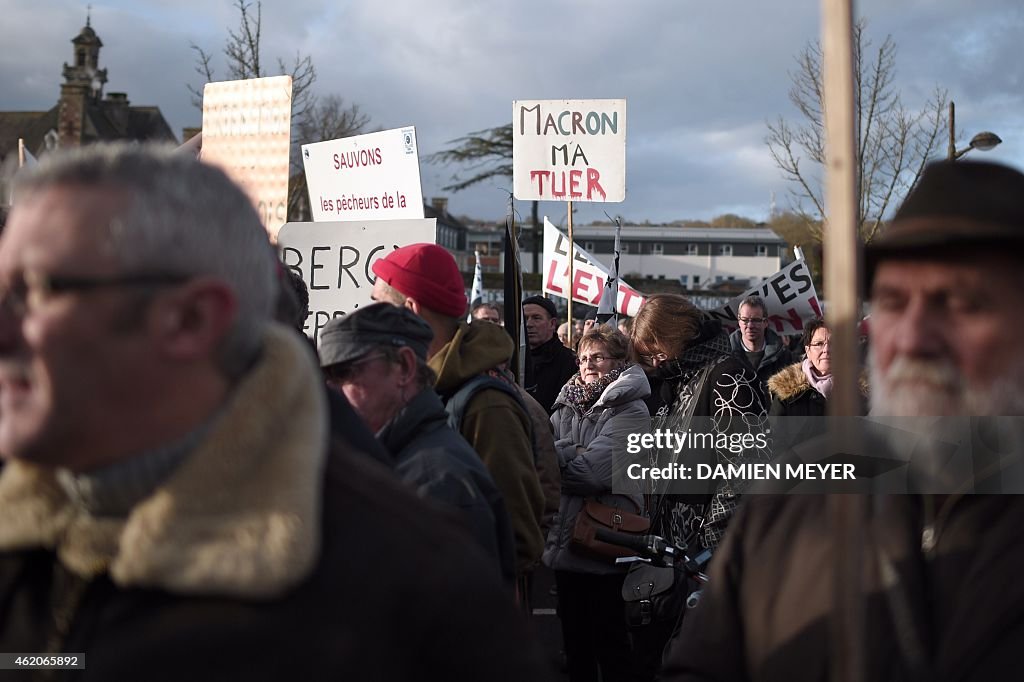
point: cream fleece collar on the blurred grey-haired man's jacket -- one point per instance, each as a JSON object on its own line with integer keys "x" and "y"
{"x": 239, "y": 518}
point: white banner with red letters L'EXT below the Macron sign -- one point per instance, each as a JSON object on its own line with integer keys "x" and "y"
{"x": 589, "y": 275}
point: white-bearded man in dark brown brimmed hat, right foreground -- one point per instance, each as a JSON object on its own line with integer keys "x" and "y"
{"x": 941, "y": 592}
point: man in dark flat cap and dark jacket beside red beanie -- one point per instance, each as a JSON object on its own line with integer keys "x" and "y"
{"x": 377, "y": 358}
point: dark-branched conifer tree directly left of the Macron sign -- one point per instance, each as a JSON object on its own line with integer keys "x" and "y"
{"x": 487, "y": 154}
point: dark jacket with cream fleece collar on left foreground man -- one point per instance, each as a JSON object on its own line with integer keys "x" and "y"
{"x": 266, "y": 556}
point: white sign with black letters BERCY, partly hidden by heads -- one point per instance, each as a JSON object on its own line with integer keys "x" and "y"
{"x": 335, "y": 259}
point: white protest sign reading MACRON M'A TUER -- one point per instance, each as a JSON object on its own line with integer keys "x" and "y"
{"x": 569, "y": 150}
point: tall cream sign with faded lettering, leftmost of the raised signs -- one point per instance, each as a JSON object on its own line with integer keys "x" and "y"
{"x": 247, "y": 132}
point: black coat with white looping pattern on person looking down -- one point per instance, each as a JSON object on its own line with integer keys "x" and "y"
{"x": 731, "y": 403}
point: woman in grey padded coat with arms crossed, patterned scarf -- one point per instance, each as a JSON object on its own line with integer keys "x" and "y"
{"x": 595, "y": 413}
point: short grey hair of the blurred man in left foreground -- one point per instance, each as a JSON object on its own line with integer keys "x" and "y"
{"x": 181, "y": 218}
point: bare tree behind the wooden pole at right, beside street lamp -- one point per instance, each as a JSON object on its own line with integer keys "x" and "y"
{"x": 893, "y": 144}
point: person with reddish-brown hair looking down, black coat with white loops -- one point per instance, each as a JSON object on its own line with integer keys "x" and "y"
{"x": 705, "y": 389}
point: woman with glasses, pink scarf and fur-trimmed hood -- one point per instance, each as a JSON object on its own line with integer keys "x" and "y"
{"x": 803, "y": 389}
